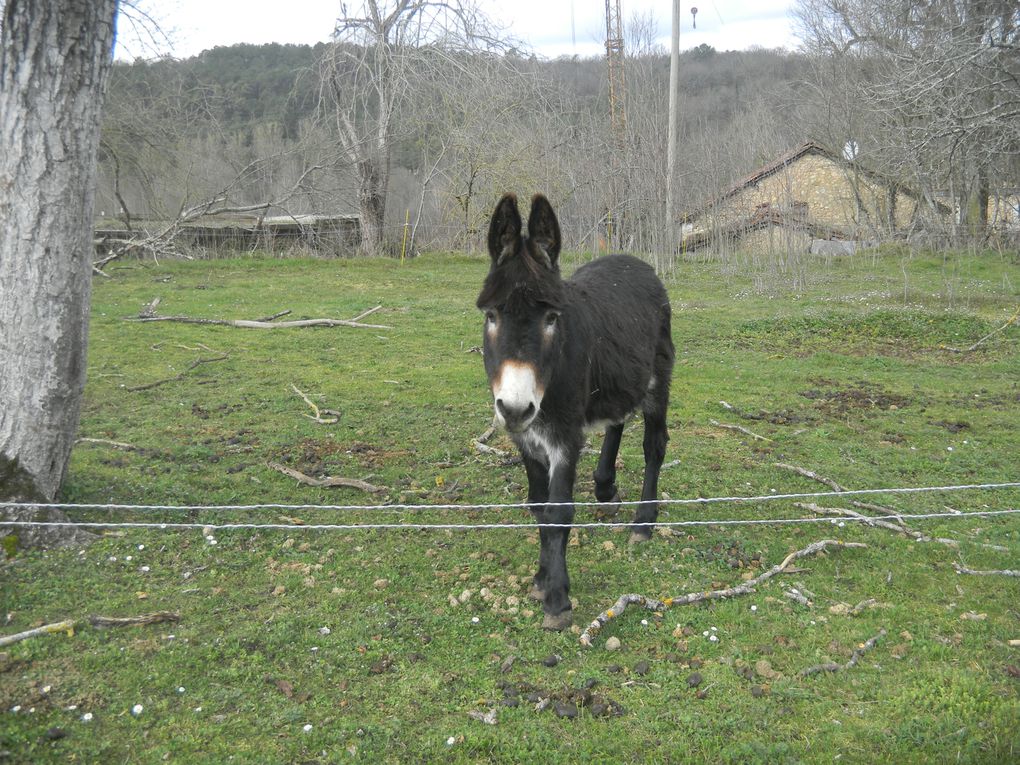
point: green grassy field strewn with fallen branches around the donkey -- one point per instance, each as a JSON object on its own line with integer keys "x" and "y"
{"x": 319, "y": 647}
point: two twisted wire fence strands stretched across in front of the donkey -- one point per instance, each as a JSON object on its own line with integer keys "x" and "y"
{"x": 405, "y": 509}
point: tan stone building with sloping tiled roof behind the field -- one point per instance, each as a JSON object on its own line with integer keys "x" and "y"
{"x": 809, "y": 195}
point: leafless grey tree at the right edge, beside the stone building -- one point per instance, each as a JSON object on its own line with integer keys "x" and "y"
{"x": 941, "y": 85}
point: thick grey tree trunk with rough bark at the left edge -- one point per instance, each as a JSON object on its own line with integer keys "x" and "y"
{"x": 56, "y": 57}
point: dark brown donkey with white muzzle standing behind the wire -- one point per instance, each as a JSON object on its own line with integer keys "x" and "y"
{"x": 564, "y": 356}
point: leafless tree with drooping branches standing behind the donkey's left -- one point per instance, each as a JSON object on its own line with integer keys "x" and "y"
{"x": 369, "y": 76}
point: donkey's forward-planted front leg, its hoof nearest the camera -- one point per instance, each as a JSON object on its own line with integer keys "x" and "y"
{"x": 553, "y": 559}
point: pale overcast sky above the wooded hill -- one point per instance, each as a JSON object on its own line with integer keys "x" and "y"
{"x": 552, "y": 28}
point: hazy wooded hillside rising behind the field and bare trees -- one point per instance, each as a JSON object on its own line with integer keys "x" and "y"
{"x": 180, "y": 131}
